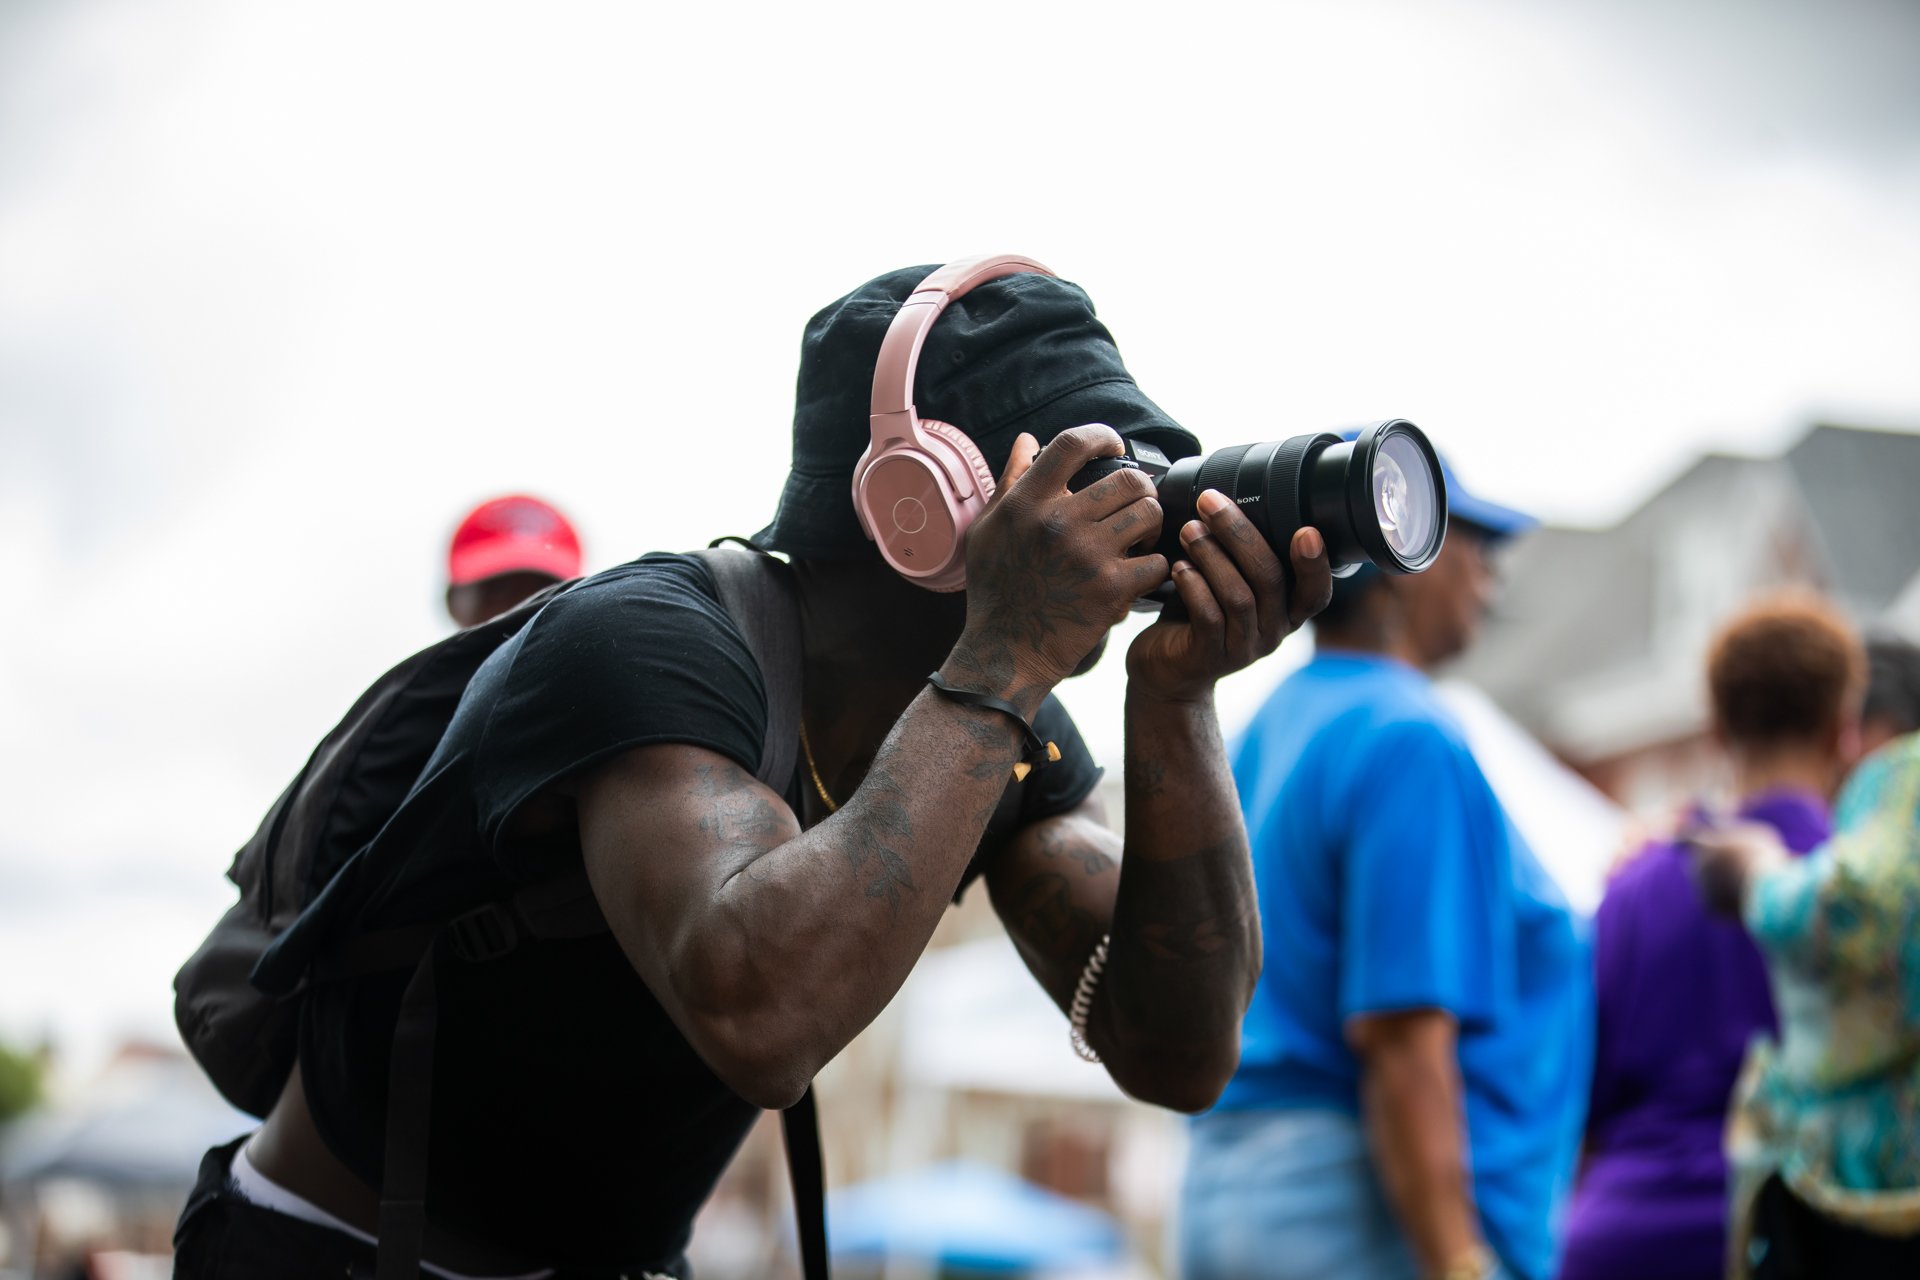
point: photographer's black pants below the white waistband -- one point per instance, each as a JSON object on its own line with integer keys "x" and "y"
{"x": 224, "y": 1237}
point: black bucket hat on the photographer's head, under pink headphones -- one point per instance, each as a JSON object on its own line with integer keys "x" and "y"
{"x": 1019, "y": 354}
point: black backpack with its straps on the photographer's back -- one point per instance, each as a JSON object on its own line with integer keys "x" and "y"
{"x": 247, "y": 1039}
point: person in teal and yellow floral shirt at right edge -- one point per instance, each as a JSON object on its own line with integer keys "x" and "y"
{"x": 1827, "y": 1124}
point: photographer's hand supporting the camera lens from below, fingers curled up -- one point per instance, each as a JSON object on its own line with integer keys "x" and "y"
{"x": 1236, "y": 598}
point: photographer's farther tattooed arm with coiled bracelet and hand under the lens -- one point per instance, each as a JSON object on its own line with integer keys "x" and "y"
{"x": 1180, "y": 909}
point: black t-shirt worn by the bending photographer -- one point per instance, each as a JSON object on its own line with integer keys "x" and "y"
{"x": 573, "y": 1122}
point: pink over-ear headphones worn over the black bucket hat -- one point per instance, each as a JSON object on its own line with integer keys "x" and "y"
{"x": 921, "y": 485}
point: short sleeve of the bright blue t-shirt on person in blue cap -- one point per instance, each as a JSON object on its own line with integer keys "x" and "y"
{"x": 1426, "y": 882}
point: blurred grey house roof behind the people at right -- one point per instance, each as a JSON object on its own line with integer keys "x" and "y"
{"x": 1598, "y": 636}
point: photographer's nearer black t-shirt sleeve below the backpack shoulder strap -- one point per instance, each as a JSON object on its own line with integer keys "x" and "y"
{"x": 636, "y": 657}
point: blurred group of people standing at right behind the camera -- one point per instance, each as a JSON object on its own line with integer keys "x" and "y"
{"x": 1445, "y": 1074}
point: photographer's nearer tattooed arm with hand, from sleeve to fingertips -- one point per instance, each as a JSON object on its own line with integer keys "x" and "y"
{"x": 769, "y": 947}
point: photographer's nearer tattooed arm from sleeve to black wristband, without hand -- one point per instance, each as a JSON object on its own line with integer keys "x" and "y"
{"x": 771, "y": 949}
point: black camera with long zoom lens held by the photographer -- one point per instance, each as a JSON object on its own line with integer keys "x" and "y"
{"x": 1378, "y": 498}
